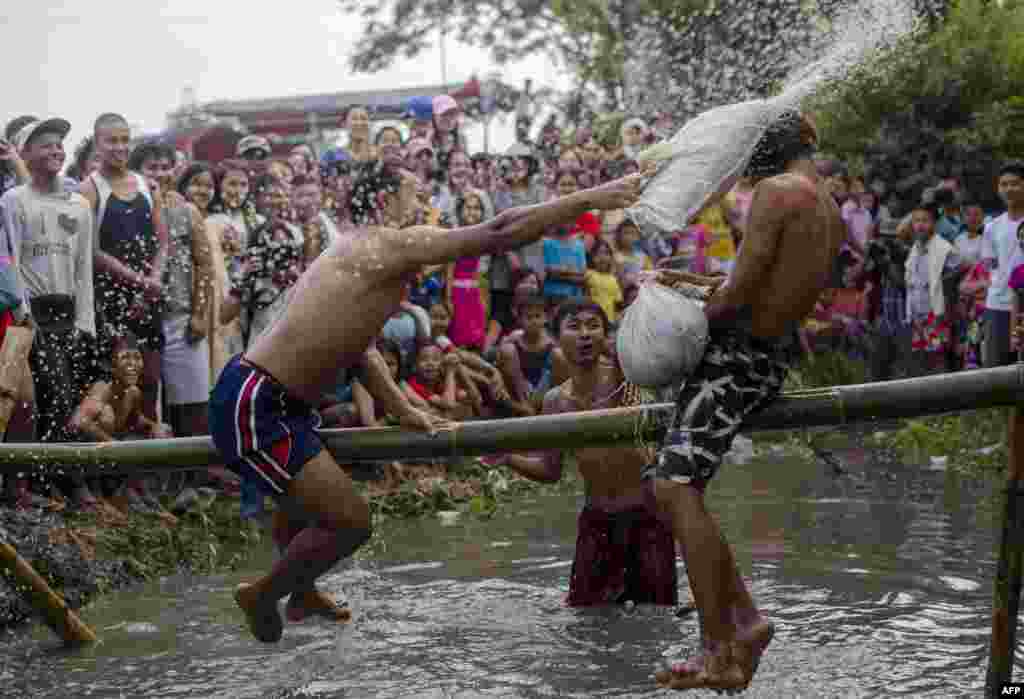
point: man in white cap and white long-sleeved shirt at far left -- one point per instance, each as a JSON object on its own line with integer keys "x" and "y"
{"x": 47, "y": 234}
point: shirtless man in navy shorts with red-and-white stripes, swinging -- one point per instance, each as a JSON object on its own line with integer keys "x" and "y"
{"x": 262, "y": 418}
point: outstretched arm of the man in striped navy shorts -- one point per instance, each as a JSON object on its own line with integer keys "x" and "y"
{"x": 418, "y": 247}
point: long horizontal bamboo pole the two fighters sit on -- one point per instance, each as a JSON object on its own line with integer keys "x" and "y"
{"x": 821, "y": 408}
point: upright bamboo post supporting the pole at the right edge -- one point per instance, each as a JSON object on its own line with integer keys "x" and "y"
{"x": 1007, "y": 590}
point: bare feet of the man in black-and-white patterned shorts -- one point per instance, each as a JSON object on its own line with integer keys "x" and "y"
{"x": 731, "y": 669}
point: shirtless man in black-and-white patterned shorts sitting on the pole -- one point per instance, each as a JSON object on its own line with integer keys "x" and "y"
{"x": 793, "y": 237}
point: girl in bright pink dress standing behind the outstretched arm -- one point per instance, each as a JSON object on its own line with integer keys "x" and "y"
{"x": 470, "y": 314}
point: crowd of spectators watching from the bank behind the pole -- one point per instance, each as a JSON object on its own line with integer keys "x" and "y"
{"x": 143, "y": 274}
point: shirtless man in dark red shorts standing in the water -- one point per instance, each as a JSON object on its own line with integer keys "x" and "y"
{"x": 624, "y": 553}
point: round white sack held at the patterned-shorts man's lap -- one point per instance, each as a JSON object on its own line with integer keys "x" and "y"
{"x": 662, "y": 337}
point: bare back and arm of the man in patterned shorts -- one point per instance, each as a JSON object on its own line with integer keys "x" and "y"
{"x": 794, "y": 235}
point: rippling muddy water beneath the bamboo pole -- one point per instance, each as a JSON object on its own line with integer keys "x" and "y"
{"x": 880, "y": 583}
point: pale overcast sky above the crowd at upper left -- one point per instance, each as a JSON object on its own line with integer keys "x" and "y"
{"x": 137, "y": 59}
